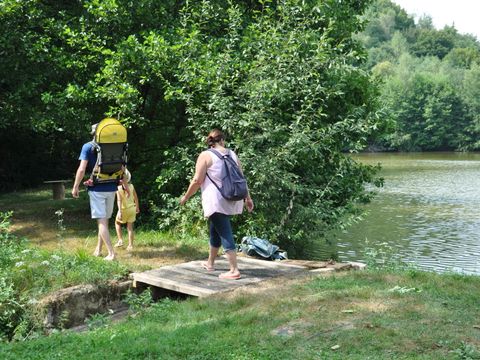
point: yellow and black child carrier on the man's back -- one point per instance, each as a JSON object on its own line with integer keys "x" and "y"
{"x": 110, "y": 144}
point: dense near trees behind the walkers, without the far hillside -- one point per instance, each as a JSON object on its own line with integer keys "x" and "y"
{"x": 282, "y": 78}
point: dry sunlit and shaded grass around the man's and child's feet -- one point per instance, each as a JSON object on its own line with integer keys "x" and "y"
{"x": 35, "y": 218}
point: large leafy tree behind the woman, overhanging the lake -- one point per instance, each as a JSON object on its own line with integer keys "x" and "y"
{"x": 284, "y": 86}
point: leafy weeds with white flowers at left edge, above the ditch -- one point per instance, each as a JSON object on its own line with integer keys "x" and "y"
{"x": 30, "y": 273}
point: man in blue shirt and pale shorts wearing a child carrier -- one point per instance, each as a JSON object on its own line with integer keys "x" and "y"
{"x": 102, "y": 197}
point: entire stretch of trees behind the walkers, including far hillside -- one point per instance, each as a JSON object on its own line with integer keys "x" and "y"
{"x": 296, "y": 86}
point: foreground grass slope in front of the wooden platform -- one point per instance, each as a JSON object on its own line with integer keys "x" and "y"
{"x": 356, "y": 315}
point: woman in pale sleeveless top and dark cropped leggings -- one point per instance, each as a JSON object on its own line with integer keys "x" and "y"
{"x": 217, "y": 209}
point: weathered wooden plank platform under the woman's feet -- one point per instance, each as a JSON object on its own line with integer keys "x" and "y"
{"x": 192, "y": 279}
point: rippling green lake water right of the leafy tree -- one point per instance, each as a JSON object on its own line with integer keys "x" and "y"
{"x": 428, "y": 212}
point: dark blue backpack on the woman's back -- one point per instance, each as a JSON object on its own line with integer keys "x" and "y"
{"x": 234, "y": 185}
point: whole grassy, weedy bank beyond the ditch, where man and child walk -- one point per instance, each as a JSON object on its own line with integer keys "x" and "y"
{"x": 47, "y": 245}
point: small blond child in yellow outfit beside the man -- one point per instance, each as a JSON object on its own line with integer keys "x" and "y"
{"x": 128, "y": 207}
